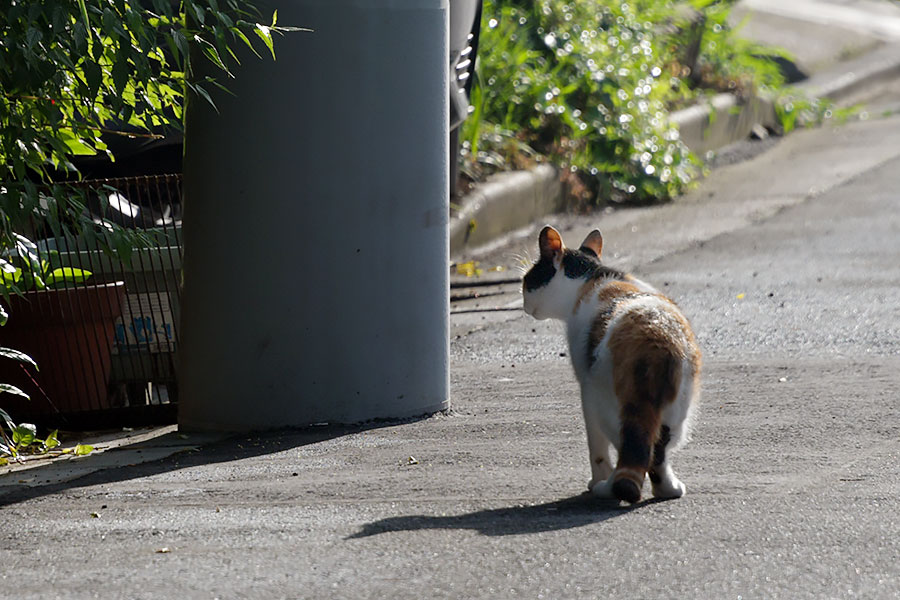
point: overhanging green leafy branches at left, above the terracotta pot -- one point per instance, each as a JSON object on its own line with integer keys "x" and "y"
{"x": 74, "y": 73}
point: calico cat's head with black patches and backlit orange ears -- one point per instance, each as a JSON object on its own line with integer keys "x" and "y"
{"x": 551, "y": 286}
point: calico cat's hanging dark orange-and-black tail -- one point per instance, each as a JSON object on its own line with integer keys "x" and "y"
{"x": 645, "y": 386}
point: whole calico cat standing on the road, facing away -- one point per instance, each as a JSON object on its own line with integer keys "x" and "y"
{"x": 635, "y": 357}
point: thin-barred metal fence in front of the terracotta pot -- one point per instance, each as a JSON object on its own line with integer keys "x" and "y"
{"x": 106, "y": 346}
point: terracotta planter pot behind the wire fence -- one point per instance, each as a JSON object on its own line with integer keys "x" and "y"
{"x": 70, "y": 334}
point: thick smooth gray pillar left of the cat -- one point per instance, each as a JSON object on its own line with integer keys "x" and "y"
{"x": 315, "y": 231}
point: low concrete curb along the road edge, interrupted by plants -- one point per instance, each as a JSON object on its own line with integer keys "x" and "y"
{"x": 510, "y": 201}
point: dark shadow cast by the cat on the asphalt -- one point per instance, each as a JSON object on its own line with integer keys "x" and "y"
{"x": 567, "y": 513}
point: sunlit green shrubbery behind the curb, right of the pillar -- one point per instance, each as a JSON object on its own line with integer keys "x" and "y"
{"x": 590, "y": 84}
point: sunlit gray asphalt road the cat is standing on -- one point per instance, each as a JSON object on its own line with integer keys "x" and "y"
{"x": 788, "y": 265}
